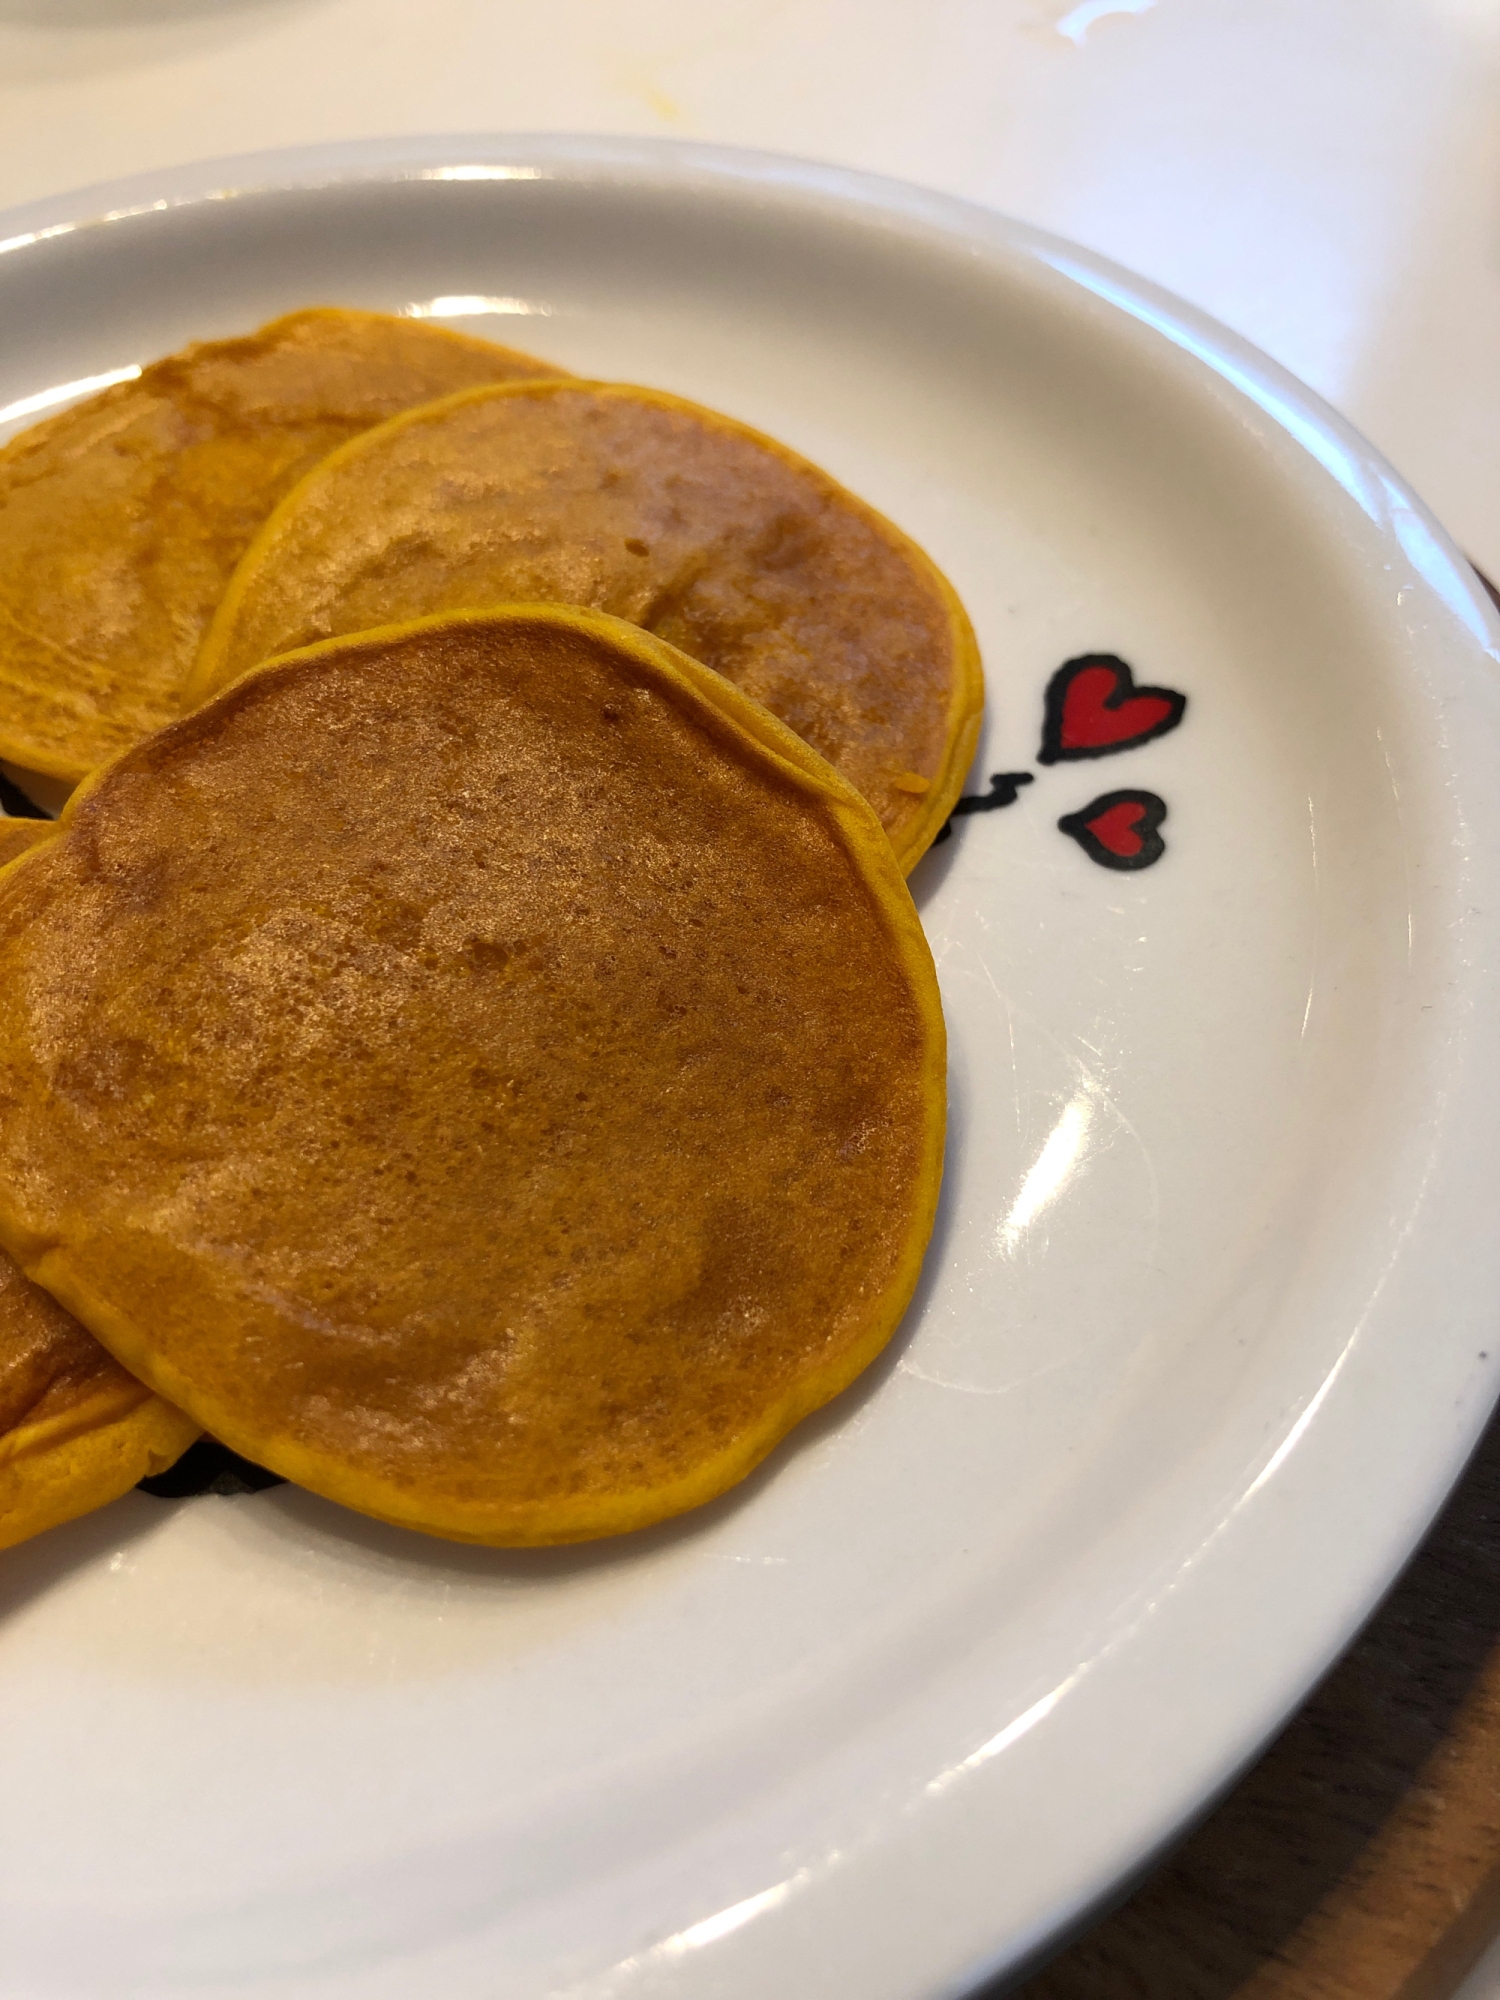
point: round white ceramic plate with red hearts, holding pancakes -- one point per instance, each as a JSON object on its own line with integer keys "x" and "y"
{"x": 1207, "y": 1325}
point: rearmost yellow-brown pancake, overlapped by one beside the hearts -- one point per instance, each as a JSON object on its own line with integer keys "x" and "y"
{"x": 123, "y": 519}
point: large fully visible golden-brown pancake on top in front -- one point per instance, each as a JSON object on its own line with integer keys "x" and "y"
{"x": 505, "y": 1071}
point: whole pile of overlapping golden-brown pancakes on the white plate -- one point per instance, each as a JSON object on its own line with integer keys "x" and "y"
{"x": 467, "y": 1043}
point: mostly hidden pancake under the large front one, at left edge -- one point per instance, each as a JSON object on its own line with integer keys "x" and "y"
{"x": 75, "y": 1427}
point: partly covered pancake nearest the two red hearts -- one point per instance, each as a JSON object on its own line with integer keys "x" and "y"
{"x": 657, "y": 511}
